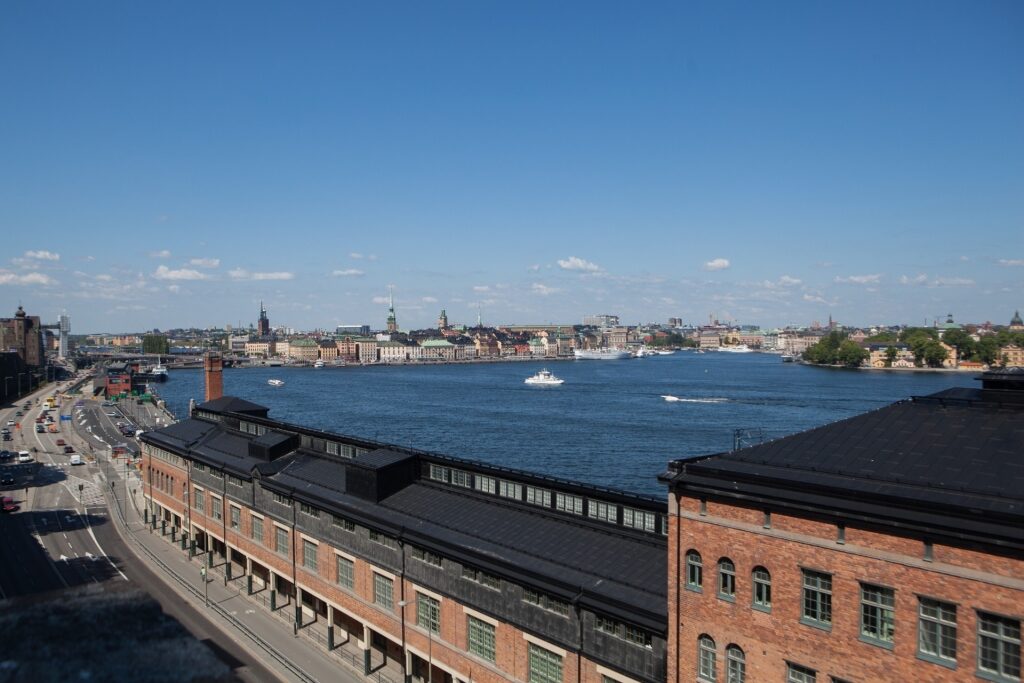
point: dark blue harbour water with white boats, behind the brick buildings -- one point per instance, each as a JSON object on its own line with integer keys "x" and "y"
{"x": 607, "y": 425}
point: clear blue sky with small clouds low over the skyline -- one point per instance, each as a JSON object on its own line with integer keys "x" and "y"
{"x": 767, "y": 163}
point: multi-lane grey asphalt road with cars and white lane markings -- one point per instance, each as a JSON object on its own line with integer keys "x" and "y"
{"x": 64, "y": 537}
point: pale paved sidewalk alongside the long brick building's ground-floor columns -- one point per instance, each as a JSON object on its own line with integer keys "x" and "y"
{"x": 270, "y": 636}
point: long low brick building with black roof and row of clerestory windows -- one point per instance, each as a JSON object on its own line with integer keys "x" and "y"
{"x": 461, "y": 572}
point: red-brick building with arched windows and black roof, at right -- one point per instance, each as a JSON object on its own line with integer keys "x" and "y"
{"x": 888, "y": 546}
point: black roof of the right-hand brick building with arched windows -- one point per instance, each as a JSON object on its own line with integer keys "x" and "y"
{"x": 951, "y": 463}
